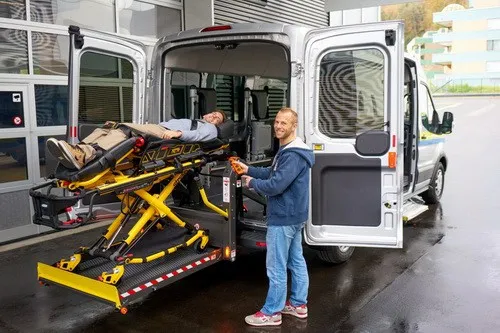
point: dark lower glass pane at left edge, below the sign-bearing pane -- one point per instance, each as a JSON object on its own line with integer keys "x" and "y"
{"x": 13, "y": 166}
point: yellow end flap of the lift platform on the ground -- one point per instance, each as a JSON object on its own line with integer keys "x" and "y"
{"x": 80, "y": 283}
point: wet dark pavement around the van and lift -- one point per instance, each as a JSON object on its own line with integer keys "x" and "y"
{"x": 445, "y": 279}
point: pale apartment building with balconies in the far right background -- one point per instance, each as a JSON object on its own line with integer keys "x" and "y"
{"x": 472, "y": 37}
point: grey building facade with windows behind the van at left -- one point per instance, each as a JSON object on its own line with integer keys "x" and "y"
{"x": 34, "y": 45}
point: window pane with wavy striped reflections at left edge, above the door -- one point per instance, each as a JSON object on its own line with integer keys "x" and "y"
{"x": 13, "y": 51}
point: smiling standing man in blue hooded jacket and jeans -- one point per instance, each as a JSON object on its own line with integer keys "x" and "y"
{"x": 286, "y": 185}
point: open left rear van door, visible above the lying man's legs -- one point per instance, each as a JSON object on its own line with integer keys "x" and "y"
{"x": 107, "y": 81}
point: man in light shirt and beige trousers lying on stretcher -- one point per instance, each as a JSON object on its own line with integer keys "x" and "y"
{"x": 76, "y": 156}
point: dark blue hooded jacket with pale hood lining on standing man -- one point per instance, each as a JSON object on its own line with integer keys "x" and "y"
{"x": 285, "y": 183}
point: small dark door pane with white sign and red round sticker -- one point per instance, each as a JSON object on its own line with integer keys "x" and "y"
{"x": 11, "y": 109}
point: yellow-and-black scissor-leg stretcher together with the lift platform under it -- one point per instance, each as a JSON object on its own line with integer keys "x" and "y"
{"x": 142, "y": 171}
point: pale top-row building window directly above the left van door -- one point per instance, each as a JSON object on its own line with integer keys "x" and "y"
{"x": 99, "y": 15}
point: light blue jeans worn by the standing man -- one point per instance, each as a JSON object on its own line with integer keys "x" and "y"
{"x": 284, "y": 250}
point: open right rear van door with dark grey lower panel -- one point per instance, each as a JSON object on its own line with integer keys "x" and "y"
{"x": 354, "y": 123}
